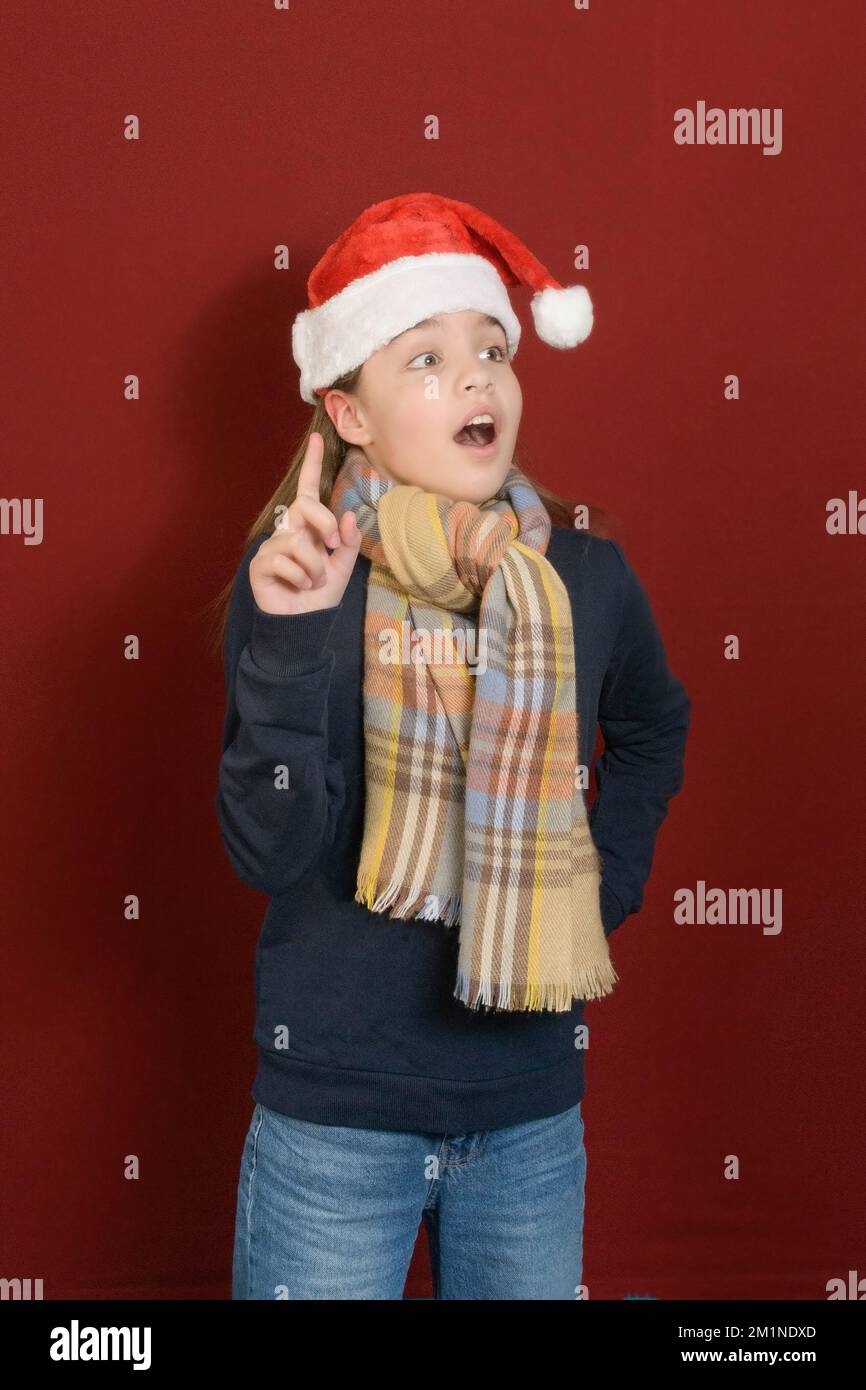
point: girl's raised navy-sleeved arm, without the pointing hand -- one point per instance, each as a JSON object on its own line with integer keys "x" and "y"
{"x": 280, "y": 794}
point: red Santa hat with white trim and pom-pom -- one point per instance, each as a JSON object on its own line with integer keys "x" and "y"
{"x": 408, "y": 259}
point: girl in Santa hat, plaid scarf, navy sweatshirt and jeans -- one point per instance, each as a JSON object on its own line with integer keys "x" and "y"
{"x": 420, "y": 644}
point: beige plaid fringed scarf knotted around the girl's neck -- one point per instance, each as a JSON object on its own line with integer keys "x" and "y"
{"x": 473, "y": 811}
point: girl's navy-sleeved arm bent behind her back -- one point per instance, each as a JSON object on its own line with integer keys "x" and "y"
{"x": 644, "y": 715}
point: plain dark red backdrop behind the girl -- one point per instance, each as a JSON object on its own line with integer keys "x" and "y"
{"x": 155, "y": 258}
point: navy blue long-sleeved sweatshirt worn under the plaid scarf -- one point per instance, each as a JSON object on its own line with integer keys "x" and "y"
{"x": 357, "y": 1021}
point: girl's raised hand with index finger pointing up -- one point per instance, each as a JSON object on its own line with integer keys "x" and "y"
{"x": 293, "y": 572}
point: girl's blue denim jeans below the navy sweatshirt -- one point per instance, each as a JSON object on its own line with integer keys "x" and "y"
{"x": 326, "y": 1211}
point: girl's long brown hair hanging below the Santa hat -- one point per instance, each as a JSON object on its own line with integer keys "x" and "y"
{"x": 559, "y": 509}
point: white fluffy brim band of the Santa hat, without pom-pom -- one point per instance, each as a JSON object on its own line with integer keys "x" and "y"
{"x": 350, "y": 327}
